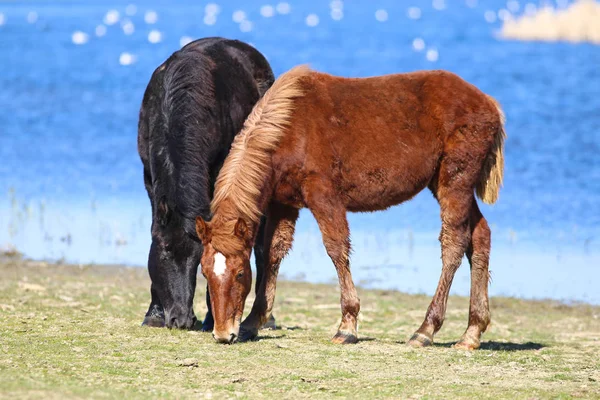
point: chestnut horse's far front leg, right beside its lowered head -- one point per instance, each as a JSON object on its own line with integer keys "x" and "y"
{"x": 279, "y": 234}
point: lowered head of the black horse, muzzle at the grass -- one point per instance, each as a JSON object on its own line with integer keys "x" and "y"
{"x": 173, "y": 265}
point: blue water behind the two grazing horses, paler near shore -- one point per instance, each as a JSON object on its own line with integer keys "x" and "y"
{"x": 70, "y": 177}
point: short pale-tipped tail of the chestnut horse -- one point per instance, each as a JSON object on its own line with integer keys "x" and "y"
{"x": 490, "y": 180}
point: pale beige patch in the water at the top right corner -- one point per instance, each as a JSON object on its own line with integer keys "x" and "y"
{"x": 580, "y": 22}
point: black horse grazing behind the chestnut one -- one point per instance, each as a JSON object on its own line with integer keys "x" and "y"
{"x": 194, "y": 105}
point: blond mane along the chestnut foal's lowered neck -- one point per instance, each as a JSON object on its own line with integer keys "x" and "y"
{"x": 243, "y": 174}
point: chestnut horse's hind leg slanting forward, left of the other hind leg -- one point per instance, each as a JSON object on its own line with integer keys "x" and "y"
{"x": 455, "y": 205}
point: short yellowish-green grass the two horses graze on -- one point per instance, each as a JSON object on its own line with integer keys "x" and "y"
{"x": 74, "y": 332}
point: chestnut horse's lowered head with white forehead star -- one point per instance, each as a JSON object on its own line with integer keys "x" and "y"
{"x": 226, "y": 266}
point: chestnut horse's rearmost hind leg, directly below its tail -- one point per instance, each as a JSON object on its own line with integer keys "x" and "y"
{"x": 478, "y": 253}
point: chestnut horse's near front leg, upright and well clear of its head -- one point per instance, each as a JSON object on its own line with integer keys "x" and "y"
{"x": 331, "y": 217}
